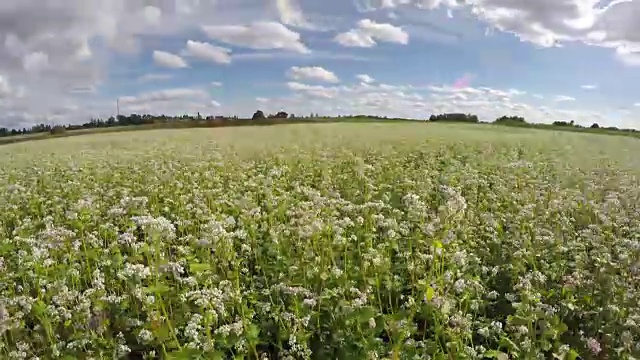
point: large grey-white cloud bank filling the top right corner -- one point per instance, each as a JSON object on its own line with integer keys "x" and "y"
{"x": 548, "y": 23}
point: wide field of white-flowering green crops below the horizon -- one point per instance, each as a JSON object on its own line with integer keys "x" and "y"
{"x": 336, "y": 241}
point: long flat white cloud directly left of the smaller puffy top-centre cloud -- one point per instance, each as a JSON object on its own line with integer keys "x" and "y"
{"x": 257, "y": 35}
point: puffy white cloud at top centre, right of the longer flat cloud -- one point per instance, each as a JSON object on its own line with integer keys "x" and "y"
{"x": 368, "y": 33}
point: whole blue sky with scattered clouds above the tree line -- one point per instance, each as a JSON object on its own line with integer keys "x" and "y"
{"x": 66, "y": 61}
